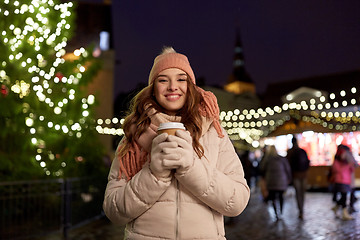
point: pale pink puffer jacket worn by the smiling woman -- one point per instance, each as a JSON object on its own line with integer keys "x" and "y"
{"x": 190, "y": 206}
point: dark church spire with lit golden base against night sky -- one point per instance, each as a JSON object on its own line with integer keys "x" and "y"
{"x": 239, "y": 81}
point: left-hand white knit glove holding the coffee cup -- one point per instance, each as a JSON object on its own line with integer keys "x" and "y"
{"x": 158, "y": 156}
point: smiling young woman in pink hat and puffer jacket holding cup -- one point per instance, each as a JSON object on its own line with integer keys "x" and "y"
{"x": 174, "y": 187}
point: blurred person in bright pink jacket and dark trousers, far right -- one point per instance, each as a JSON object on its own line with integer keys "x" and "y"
{"x": 341, "y": 176}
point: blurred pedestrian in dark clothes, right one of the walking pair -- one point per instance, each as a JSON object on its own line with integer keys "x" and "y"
{"x": 299, "y": 163}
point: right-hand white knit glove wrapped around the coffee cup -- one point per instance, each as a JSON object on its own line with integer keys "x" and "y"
{"x": 180, "y": 157}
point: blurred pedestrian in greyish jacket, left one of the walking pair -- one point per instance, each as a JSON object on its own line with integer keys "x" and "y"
{"x": 277, "y": 174}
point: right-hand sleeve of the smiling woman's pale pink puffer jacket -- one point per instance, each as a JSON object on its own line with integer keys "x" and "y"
{"x": 221, "y": 186}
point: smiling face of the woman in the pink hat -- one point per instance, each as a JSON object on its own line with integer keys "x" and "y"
{"x": 170, "y": 88}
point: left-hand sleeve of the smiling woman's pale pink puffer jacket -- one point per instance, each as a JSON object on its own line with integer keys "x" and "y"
{"x": 126, "y": 200}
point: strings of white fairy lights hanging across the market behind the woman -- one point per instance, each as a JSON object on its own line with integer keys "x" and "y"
{"x": 252, "y": 124}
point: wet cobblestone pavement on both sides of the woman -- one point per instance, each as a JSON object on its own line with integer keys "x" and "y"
{"x": 258, "y": 222}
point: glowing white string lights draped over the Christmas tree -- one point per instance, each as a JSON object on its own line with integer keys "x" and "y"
{"x": 37, "y": 75}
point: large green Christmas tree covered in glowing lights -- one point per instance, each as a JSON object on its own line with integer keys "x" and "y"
{"x": 46, "y": 117}
